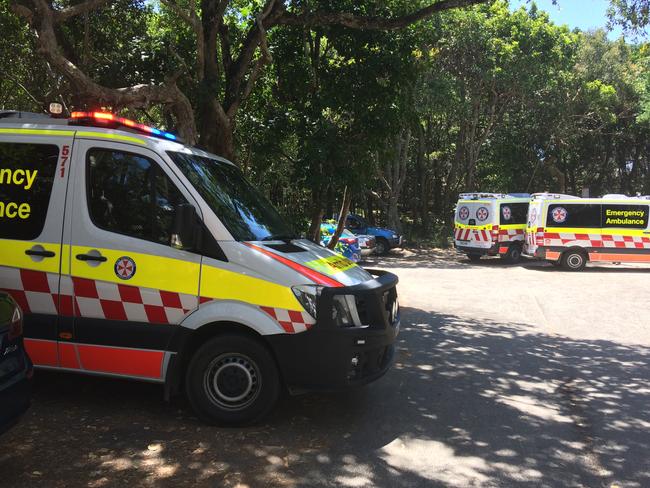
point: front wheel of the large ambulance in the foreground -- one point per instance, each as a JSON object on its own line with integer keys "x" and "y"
{"x": 232, "y": 380}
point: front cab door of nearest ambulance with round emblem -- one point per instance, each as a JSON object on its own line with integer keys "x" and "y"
{"x": 132, "y": 283}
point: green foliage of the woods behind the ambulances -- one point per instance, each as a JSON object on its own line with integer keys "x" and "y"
{"x": 483, "y": 98}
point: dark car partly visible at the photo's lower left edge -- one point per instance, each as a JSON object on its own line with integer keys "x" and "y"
{"x": 15, "y": 366}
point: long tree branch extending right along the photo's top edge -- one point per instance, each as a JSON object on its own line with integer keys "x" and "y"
{"x": 319, "y": 18}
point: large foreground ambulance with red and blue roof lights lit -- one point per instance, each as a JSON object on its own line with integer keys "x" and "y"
{"x": 136, "y": 256}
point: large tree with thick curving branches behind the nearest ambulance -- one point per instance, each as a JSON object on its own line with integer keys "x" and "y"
{"x": 229, "y": 54}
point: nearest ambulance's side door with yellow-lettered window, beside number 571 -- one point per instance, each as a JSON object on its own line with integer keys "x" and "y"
{"x": 33, "y": 178}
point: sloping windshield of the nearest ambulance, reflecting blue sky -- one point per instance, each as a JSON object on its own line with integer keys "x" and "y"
{"x": 242, "y": 209}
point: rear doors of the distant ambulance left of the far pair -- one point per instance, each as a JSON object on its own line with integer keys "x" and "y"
{"x": 476, "y": 219}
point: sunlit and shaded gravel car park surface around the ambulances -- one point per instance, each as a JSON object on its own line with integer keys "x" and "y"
{"x": 506, "y": 375}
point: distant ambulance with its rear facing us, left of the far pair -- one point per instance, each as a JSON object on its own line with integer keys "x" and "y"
{"x": 491, "y": 224}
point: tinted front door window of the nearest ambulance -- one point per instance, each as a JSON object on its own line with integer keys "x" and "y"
{"x": 130, "y": 194}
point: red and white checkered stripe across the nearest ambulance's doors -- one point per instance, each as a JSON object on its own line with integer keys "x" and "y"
{"x": 35, "y": 292}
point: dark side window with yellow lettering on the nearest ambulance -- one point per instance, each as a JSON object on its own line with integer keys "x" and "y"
{"x": 26, "y": 179}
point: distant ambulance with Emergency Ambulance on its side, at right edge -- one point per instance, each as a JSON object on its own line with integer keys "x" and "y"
{"x": 571, "y": 231}
